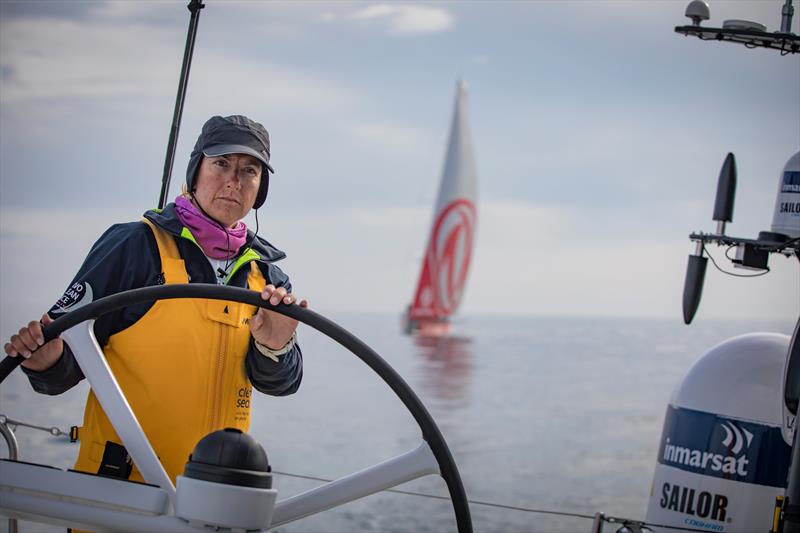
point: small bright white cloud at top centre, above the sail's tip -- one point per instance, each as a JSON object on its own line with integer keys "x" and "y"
{"x": 405, "y": 18}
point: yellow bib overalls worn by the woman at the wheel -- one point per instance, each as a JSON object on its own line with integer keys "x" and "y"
{"x": 181, "y": 368}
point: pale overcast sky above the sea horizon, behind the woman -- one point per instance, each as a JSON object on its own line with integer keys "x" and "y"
{"x": 598, "y": 135}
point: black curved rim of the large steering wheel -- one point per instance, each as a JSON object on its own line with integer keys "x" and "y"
{"x": 430, "y": 432}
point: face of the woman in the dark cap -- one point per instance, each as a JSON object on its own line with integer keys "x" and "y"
{"x": 227, "y": 186}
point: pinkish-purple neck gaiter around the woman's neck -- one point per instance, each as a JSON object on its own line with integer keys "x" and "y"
{"x": 217, "y": 242}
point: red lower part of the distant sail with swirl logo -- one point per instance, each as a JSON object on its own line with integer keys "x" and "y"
{"x": 447, "y": 261}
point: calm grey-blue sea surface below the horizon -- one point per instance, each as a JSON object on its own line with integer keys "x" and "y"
{"x": 545, "y": 413}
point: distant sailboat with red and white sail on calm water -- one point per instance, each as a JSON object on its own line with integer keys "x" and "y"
{"x": 450, "y": 242}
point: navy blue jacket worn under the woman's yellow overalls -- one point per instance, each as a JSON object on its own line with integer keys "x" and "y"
{"x": 126, "y": 257}
